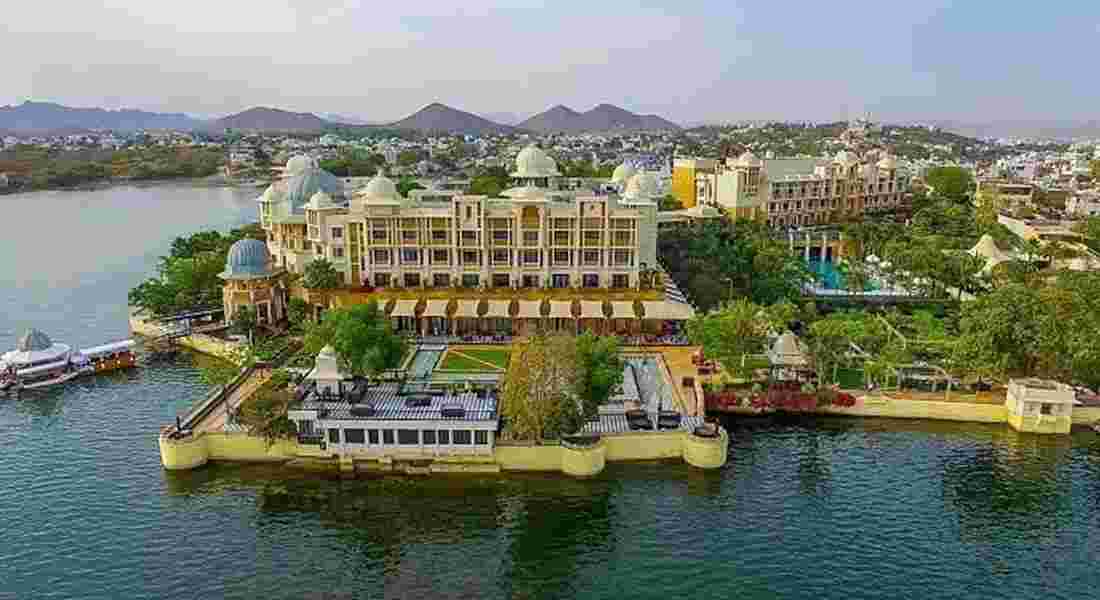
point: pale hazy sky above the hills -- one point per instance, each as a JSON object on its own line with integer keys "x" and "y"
{"x": 899, "y": 60}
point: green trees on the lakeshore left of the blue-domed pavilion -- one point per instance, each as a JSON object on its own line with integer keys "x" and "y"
{"x": 189, "y": 276}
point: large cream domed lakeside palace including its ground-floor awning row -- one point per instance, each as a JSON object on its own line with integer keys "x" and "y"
{"x": 458, "y": 265}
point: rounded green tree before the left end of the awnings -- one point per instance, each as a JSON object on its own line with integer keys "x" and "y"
{"x": 362, "y": 339}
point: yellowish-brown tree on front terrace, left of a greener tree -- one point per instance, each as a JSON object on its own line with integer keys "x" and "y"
{"x": 540, "y": 399}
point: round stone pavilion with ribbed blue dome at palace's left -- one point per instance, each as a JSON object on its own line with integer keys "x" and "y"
{"x": 254, "y": 281}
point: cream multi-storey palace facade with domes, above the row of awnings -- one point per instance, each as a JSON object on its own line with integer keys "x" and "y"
{"x": 537, "y": 236}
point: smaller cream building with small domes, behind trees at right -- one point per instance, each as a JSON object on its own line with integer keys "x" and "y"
{"x": 802, "y": 192}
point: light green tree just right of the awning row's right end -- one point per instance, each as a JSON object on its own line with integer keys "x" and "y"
{"x": 727, "y": 335}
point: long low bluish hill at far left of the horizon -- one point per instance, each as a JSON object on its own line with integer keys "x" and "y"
{"x": 49, "y": 117}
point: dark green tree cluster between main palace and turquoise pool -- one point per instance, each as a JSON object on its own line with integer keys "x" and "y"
{"x": 719, "y": 260}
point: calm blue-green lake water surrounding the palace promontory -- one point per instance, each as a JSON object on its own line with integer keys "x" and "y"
{"x": 805, "y": 509}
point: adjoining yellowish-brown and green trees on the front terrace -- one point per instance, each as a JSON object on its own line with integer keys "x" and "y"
{"x": 557, "y": 383}
